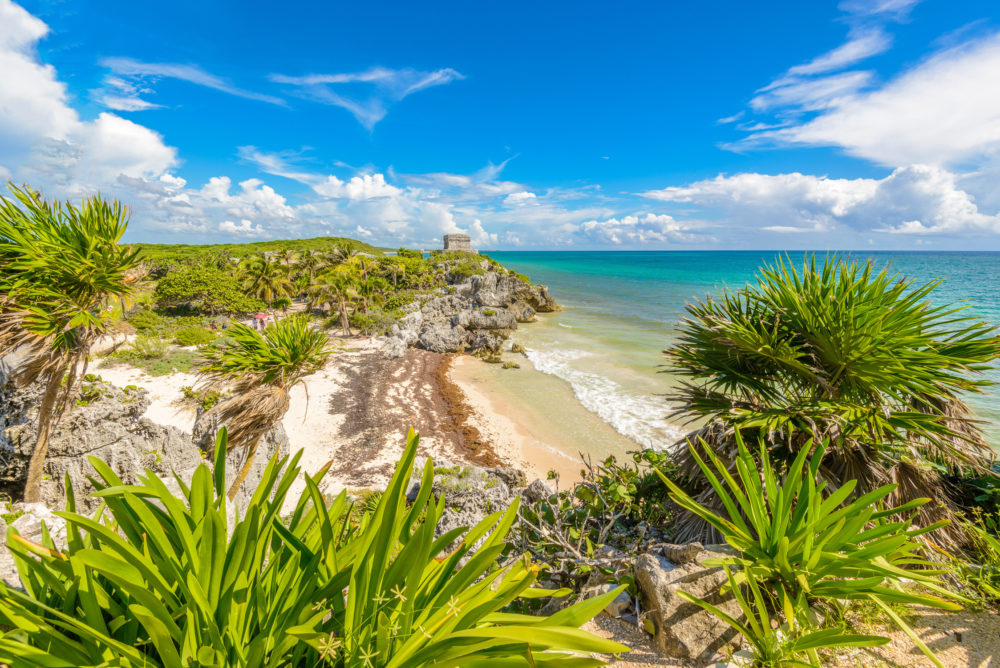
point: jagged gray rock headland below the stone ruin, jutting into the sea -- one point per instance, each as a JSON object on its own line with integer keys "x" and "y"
{"x": 477, "y": 315}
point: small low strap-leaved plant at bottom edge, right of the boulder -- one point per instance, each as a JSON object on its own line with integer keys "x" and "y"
{"x": 784, "y": 646}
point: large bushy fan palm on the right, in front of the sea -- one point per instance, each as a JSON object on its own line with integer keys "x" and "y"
{"x": 845, "y": 353}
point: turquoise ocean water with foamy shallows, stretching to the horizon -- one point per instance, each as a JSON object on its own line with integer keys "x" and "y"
{"x": 622, "y": 308}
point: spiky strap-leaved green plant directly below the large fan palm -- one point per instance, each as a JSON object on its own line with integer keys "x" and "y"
{"x": 811, "y": 547}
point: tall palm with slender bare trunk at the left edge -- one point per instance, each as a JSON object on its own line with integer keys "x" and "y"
{"x": 60, "y": 268}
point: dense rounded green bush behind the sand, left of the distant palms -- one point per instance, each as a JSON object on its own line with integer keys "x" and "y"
{"x": 205, "y": 289}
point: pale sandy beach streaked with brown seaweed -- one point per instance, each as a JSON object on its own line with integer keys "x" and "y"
{"x": 356, "y": 412}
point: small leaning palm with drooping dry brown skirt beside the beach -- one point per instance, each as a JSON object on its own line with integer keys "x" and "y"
{"x": 261, "y": 369}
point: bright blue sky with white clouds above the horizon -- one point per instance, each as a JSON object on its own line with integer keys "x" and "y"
{"x": 858, "y": 124}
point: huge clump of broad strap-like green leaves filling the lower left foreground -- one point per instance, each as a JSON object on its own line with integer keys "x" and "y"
{"x": 158, "y": 579}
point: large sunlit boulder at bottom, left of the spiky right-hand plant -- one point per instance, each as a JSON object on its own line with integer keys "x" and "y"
{"x": 684, "y": 630}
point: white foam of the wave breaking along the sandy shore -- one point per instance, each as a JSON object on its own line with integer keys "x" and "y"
{"x": 639, "y": 417}
